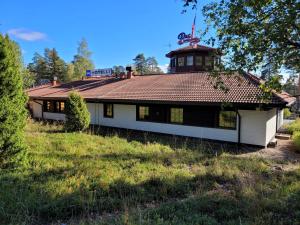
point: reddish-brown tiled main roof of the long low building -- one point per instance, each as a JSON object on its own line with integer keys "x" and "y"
{"x": 184, "y": 88}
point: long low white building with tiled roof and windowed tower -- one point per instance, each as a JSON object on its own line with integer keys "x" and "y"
{"x": 185, "y": 102}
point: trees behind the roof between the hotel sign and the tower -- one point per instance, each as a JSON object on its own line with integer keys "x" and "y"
{"x": 146, "y": 65}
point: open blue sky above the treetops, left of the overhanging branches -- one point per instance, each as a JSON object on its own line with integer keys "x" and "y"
{"x": 116, "y": 31}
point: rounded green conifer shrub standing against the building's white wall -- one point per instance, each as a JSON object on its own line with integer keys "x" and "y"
{"x": 77, "y": 114}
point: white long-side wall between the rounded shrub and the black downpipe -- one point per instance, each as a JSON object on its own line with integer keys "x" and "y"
{"x": 125, "y": 117}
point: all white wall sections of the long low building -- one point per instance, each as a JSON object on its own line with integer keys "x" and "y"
{"x": 257, "y": 127}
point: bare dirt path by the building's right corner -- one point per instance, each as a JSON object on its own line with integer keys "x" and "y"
{"x": 283, "y": 154}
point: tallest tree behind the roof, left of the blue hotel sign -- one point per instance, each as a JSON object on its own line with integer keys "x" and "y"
{"x": 82, "y": 60}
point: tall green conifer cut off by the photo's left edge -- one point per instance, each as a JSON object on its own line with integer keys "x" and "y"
{"x": 12, "y": 100}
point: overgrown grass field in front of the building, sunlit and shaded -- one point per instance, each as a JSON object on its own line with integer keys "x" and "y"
{"x": 79, "y": 178}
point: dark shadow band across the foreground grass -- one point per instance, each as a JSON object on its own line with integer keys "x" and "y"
{"x": 180, "y": 200}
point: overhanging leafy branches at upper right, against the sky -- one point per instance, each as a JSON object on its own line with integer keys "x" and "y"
{"x": 251, "y": 33}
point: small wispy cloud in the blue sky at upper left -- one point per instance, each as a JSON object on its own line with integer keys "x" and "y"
{"x": 27, "y": 35}
